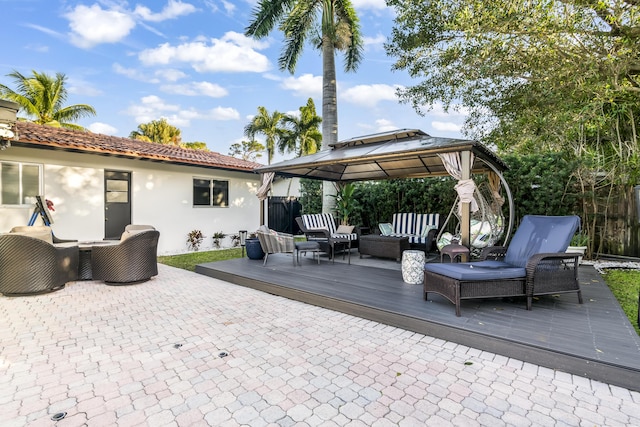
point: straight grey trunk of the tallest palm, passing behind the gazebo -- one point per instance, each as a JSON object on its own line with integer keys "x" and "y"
{"x": 329, "y": 115}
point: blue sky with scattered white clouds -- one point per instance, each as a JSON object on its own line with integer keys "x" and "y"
{"x": 189, "y": 62}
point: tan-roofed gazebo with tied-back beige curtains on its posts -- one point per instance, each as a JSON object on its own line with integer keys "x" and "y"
{"x": 404, "y": 153}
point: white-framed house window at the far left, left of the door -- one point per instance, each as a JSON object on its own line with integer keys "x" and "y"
{"x": 19, "y": 183}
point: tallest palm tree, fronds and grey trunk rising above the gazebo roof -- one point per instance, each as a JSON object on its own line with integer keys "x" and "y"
{"x": 331, "y": 25}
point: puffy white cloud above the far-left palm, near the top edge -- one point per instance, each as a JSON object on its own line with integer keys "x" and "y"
{"x": 92, "y": 25}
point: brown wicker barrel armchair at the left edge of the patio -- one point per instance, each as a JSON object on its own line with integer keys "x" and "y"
{"x": 29, "y": 265}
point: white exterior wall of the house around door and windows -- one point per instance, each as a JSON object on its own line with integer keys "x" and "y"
{"x": 161, "y": 195}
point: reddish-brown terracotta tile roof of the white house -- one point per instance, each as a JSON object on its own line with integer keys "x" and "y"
{"x": 32, "y": 135}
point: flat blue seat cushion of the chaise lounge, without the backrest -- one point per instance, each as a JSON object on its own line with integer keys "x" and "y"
{"x": 474, "y": 271}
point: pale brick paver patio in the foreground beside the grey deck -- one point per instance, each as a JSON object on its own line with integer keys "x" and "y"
{"x": 184, "y": 350}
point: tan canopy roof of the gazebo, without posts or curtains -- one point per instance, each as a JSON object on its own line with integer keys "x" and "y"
{"x": 405, "y": 153}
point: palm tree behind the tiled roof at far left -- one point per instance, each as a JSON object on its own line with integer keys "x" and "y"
{"x": 42, "y": 98}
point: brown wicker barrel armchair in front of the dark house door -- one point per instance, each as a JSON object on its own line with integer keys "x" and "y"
{"x": 133, "y": 260}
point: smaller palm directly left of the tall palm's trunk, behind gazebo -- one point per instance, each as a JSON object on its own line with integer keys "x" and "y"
{"x": 301, "y": 133}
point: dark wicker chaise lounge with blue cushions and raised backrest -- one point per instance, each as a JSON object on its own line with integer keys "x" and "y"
{"x": 534, "y": 264}
